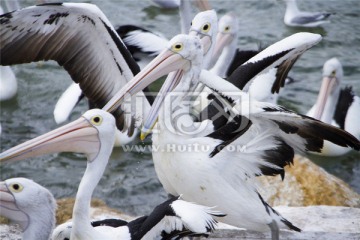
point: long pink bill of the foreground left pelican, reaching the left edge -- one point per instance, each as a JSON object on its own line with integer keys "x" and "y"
{"x": 78, "y": 136}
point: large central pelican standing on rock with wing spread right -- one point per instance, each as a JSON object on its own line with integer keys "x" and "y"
{"x": 212, "y": 173}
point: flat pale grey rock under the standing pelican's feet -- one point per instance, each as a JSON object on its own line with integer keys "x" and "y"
{"x": 316, "y": 222}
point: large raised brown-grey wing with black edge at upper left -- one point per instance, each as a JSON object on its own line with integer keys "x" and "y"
{"x": 76, "y": 35}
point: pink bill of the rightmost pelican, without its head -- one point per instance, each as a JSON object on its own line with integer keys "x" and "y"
{"x": 327, "y": 86}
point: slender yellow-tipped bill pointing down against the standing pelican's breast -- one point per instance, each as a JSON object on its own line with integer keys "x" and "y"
{"x": 170, "y": 83}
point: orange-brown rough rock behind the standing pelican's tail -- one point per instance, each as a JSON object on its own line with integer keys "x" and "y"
{"x": 307, "y": 184}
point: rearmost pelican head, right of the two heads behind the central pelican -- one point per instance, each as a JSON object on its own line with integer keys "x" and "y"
{"x": 227, "y": 34}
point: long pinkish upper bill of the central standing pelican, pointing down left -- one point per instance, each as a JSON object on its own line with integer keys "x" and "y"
{"x": 166, "y": 62}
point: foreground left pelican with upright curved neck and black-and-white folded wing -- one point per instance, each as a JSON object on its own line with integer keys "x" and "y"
{"x": 94, "y": 134}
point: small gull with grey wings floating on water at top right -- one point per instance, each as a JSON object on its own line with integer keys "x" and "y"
{"x": 296, "y": 18}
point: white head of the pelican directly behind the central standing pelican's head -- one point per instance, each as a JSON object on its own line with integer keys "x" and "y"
{"x": 205, "y": 26}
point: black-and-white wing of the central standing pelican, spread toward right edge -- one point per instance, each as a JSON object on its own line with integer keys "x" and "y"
{"x": 270, "y": 135}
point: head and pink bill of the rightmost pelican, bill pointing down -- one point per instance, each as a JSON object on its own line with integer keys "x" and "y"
{"x": 330, "y": 86}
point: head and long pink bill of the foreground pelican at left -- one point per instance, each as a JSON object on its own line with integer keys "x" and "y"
{"x": 89, "y": 134}
